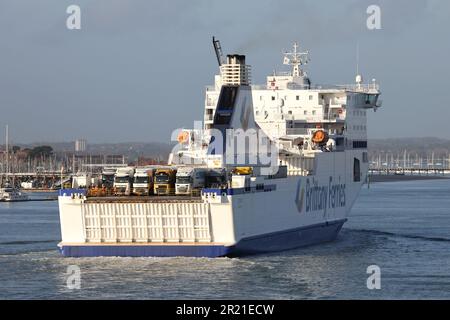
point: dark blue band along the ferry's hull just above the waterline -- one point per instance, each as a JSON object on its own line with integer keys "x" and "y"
{"x": 278, "y": 241}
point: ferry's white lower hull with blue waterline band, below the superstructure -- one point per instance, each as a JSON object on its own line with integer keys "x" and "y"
{"x": 287, "y": 213}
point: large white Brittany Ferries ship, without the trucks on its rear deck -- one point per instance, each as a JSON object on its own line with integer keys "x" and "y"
{"x": 317, "y": 141}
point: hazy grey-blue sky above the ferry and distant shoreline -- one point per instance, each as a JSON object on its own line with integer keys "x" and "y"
{"x": 137, "y": 69}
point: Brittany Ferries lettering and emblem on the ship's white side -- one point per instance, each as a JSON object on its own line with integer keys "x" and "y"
{"x": 317, "y": 197}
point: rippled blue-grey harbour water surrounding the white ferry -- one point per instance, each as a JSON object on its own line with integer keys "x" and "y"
{"x": 403, "y": 227}
